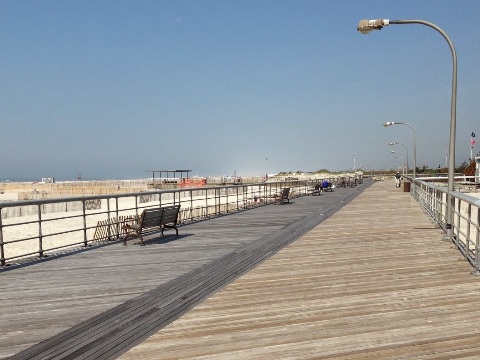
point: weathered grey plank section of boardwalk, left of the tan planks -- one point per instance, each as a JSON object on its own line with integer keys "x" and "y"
{"x": 46, "y": 300}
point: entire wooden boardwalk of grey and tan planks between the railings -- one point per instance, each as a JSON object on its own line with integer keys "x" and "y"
{"x": 366, "y": 282}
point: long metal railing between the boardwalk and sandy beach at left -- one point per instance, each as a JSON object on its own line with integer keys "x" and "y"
{"x": 36, "y": 228}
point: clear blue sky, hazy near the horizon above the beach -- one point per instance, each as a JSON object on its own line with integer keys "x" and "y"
{"x": 110, "y": 89}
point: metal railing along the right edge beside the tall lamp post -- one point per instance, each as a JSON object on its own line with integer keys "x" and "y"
{"x": 466, "y": 220}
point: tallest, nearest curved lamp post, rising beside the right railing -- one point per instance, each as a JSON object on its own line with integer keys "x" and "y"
{"x": 366, "y": 26}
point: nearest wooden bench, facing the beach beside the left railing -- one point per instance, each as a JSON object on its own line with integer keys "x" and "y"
{"x": 150, "y": 220}
